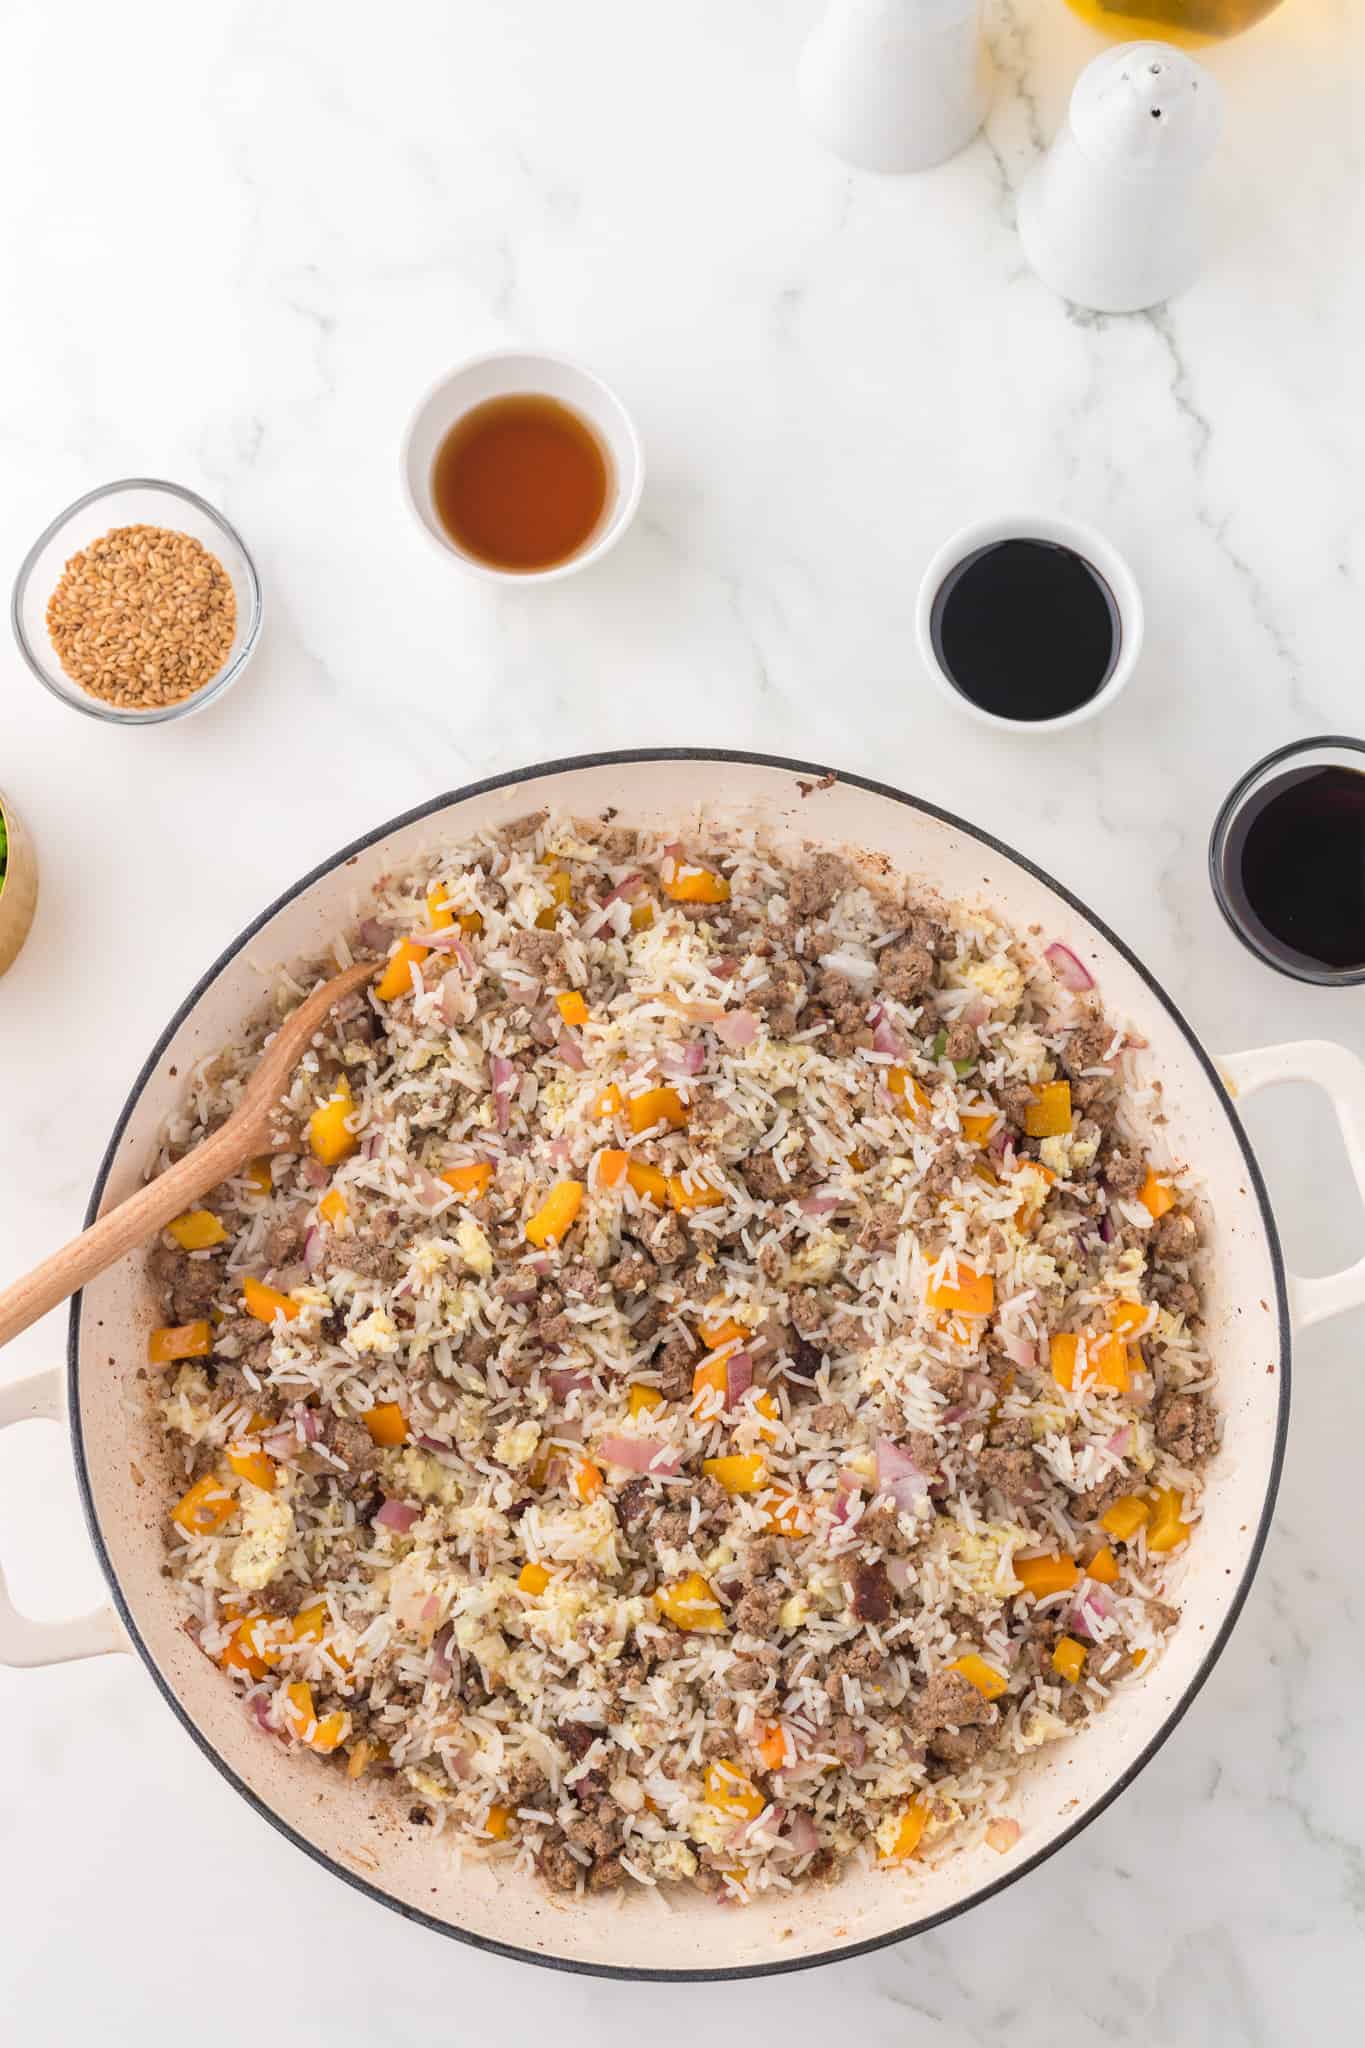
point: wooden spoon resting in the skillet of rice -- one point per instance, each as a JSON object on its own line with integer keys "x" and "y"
{"x": 226, "y": 1152}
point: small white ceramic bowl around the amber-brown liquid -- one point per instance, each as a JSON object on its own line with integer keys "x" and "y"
{"x": 507, "y": 374}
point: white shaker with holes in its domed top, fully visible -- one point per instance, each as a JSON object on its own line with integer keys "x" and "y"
{"x": 1114, "y": 214}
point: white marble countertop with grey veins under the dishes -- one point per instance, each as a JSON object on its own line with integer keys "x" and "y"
{"x": 238, "y": 243}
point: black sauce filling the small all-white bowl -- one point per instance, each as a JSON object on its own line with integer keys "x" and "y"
{"x": 1026, "y": 630}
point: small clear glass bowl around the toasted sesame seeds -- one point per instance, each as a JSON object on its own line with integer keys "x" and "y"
{"x": 130, "y": 503}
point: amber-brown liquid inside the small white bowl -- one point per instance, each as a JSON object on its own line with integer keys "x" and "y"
{"x": 521, "y": 482}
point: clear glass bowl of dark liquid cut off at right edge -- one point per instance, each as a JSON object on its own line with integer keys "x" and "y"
{"x": 1288, "y": 861}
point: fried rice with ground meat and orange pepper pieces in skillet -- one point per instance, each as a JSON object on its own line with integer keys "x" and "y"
{"x": 711, "y": 1379}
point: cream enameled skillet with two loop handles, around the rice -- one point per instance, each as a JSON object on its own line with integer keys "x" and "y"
{"x": 1251, "y": 1306}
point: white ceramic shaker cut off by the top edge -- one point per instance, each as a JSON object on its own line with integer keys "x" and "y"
{"x": 895, "y": 85}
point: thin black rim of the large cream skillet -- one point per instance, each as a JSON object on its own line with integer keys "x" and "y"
{"x": 779, "y": 1965}
